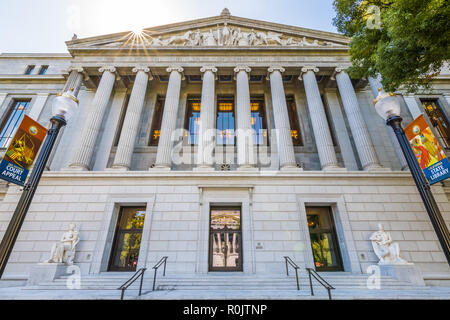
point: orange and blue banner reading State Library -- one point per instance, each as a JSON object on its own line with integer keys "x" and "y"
{"x": 429, "y": 154}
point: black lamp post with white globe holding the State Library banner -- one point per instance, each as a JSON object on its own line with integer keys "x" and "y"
{"x": 388, "y": 107}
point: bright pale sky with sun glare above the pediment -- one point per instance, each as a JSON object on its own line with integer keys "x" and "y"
{"x": 30, "y": 26}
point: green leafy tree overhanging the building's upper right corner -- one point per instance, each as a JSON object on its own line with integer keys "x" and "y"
{"x": 405, "y": 41}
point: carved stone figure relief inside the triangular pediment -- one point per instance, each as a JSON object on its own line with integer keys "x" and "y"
{"x": 234, "y": 36}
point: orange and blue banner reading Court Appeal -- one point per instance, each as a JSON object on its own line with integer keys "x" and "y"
{"x": 22, "y": 151}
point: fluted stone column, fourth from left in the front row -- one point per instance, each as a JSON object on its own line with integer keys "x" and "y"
{"x": 207, "y": 132}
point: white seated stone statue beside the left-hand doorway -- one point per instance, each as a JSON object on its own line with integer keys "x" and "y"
{"x": 64, "y": 251}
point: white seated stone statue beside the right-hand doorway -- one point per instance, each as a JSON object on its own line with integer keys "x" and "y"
{"x": 385, "y": 248}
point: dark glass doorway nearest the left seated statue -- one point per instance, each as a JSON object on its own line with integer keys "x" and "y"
{"x": 127, "y": 239}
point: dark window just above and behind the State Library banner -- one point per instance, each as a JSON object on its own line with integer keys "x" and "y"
{"x": 438, "y": 119}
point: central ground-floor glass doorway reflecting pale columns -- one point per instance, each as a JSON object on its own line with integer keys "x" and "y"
{"x": 225, "y": 239}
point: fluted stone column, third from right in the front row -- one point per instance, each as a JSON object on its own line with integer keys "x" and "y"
{"x": 281, "y": 117}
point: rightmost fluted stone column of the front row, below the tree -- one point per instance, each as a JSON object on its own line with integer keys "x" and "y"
{"x": 360, "y": 132}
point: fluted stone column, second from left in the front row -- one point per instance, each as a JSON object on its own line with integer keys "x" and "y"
{"x": 125, "y": 148}
